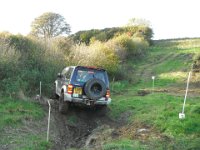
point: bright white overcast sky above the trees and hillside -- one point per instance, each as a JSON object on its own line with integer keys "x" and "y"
{"x": 168, "y": 18}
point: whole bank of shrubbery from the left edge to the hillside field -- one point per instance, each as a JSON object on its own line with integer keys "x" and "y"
{"x": 25, "y": 61}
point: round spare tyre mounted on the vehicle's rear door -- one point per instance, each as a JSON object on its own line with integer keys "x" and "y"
{"x": 95, "y": 89}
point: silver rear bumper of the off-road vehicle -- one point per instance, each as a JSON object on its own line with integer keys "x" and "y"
{"x": 85, "y": 100}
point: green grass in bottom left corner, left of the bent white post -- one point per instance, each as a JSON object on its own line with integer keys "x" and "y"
{"x": 12, "y": 114}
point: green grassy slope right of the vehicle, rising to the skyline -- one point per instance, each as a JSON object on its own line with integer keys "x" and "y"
{"x": 170, "y": 61}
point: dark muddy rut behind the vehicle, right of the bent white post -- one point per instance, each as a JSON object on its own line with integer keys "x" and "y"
{"x": 74, "y": 129}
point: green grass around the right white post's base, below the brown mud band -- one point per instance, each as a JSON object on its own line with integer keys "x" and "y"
{"x": 161, "y": 111}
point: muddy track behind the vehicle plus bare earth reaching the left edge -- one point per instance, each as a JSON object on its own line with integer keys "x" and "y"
{"x": 80, "y": 128}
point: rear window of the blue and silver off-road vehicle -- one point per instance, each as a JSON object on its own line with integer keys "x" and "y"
{"x": 85, "y": 75}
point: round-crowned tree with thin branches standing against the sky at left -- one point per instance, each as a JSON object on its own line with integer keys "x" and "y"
{"x": 49, "y": 25}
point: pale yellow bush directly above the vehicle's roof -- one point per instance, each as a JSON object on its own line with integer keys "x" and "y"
{"x": 97, "y": 54}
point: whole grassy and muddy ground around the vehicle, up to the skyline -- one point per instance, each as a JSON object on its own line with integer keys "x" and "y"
{"x": 140, "y": 116}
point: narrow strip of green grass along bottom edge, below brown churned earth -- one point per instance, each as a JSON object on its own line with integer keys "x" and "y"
{"x": 128, "y": 144}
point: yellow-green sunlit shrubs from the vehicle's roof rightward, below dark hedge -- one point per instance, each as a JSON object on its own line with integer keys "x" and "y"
{"x": 111, "y": 55}
